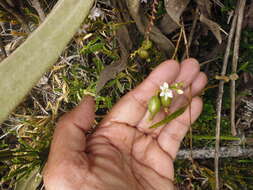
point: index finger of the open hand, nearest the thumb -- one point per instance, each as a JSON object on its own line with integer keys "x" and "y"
{"x": 132, "y": 107}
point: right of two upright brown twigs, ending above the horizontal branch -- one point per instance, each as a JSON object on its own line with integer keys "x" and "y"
{"x": 234, "y": 64}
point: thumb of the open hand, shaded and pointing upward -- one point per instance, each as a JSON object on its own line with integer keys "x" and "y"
{"x": 69, "y": 135}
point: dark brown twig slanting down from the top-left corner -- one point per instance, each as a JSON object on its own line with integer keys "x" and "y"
{"x": 16, "y": 14}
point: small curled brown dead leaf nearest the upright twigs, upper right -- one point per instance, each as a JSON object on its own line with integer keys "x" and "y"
{"x": 213, "y": 26}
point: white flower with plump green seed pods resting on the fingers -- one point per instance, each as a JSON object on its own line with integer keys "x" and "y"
{"x": 163, "y": 98}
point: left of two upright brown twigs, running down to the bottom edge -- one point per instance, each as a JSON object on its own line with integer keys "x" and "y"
{"x": 219, "y": 99}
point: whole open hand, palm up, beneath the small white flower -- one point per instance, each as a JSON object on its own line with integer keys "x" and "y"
{"x": 124, "y": 153}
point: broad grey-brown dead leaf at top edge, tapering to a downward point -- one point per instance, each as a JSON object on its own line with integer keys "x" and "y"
{"x": 175, "y": 8}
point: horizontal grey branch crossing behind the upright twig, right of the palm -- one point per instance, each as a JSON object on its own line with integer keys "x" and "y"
{"x": 207, "y": 153}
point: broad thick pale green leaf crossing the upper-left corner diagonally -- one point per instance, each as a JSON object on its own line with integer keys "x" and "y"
{"x": 23, "y": 69}
